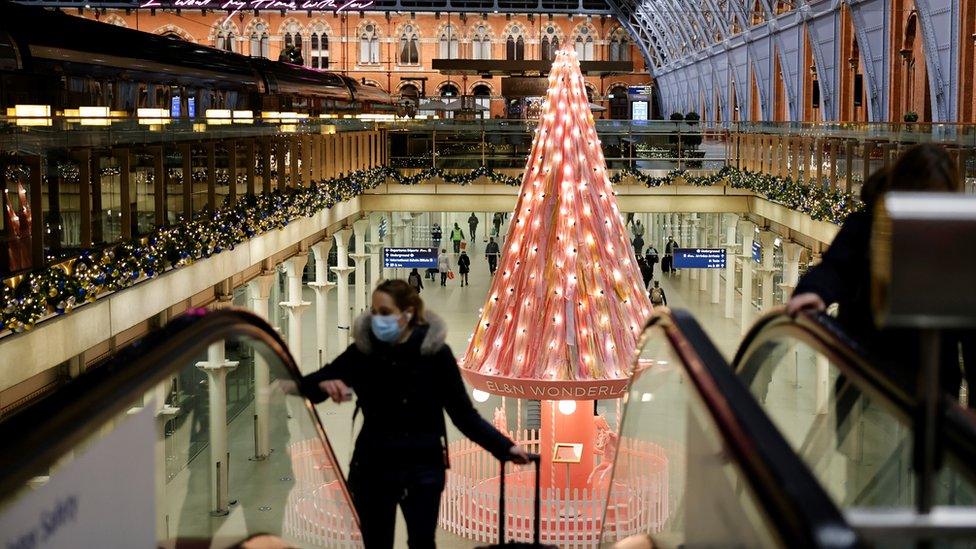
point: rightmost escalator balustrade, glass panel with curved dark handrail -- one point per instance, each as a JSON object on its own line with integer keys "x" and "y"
{"x": 855, "y": 428}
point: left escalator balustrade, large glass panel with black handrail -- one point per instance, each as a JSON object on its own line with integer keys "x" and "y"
{"x": 79, "y": 468}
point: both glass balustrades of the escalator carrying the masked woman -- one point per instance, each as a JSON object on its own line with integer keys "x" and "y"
{"x": 697, "y": 461}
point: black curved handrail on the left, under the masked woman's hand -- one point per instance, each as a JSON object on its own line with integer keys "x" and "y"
{"x": 34, "y": 438}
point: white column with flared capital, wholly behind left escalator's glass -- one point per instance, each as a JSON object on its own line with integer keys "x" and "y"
{"x": 216, "y": 367}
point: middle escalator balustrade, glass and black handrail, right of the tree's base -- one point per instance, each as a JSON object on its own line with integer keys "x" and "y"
{"x": 696, "y": 465}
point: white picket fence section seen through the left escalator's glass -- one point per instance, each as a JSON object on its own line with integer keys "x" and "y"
{"x": 317, "y": 514}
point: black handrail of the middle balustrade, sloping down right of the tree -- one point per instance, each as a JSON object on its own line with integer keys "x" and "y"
{"x": 794, "y": 501}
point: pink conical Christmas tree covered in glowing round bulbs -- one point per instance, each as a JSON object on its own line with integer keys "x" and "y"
{"x": 567, "y": 303}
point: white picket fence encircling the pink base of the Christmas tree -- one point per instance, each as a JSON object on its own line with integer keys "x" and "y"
{"x": 569, "y": 518}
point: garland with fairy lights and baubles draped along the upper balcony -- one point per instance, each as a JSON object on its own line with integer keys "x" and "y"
{"x": 59, "y": 288}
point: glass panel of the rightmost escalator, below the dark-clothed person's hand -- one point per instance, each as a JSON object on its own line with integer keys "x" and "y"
{"x": 852, "y": 434}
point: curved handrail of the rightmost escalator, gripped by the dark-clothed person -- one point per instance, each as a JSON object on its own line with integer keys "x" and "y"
{"x": 825, "y": 336}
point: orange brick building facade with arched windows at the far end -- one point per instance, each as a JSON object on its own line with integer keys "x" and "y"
{"x": 394, "y": 51}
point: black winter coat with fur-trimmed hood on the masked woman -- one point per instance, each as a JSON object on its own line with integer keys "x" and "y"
{"x": 403, "y": 391}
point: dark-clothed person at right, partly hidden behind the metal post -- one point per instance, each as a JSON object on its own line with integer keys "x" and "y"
{"x": 844, "y": 274}
